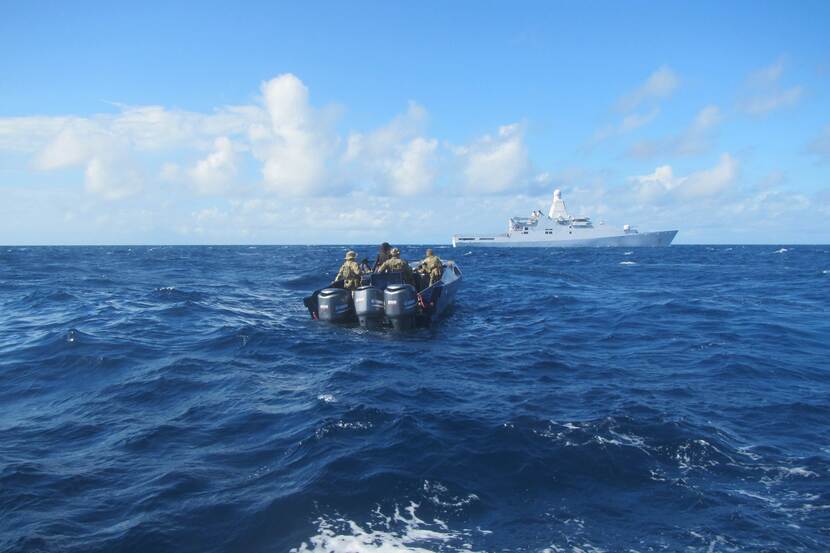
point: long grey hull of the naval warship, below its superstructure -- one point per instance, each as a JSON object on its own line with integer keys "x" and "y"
{"x": 632, "y": 240}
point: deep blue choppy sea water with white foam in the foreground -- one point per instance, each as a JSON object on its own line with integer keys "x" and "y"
{"x": 179, "y": 399}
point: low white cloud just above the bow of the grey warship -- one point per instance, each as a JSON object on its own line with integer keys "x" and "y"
{"x": 662, "y": 184}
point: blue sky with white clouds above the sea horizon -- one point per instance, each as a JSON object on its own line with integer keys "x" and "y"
{"x": 359, "y": 122}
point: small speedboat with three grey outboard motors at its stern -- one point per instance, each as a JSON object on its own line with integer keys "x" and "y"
{"x": 385, "y": 300}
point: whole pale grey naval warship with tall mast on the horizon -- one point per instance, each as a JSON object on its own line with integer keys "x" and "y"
{"x": 557, "y": 229}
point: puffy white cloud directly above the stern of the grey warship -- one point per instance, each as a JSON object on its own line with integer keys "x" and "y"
{"x": 494, "y": 164}
